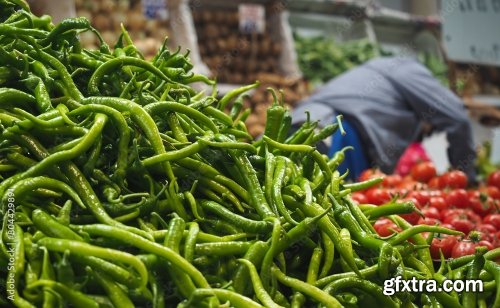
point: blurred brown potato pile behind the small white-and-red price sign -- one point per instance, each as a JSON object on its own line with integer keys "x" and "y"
{"x": 234, "y": 57}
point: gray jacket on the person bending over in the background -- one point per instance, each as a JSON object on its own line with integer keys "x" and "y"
{"x": 387, "y": 100}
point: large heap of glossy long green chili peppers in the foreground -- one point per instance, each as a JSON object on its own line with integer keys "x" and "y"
{"x": 122, "y": 186}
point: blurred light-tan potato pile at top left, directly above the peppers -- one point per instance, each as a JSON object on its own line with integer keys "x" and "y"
{"x": 107, "y": 15}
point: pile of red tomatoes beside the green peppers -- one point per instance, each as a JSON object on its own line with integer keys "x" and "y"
{"x": 443, "y": 200}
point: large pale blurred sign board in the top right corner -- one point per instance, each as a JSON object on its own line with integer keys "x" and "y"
{"x": 471, "y": 30}
